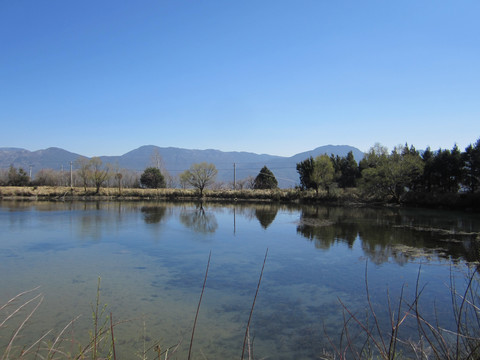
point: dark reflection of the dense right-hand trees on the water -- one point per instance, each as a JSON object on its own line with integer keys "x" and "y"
{"x": 400, "y": 235}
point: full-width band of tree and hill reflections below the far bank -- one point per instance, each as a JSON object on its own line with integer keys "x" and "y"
{"x": 387, "y": 234}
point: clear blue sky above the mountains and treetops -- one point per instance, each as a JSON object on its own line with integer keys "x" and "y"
{"x": 277, "y": 77}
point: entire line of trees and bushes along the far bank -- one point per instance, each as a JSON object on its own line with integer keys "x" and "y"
{"x": 380, "y": 172}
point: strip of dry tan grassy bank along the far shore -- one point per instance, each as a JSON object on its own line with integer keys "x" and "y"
{"x": 339, "y": 196}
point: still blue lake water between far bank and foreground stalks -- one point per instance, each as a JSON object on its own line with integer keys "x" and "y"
{"x": 152, "y": 256}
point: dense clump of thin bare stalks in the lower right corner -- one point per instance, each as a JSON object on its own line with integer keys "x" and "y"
{"x": 433, "y": 341}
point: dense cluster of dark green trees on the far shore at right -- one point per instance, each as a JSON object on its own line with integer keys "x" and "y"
{"x": 394, "y": 174}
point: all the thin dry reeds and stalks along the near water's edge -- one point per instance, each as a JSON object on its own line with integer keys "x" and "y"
{"x": 363, "y": 336}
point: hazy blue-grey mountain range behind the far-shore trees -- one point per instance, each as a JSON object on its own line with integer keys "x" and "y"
{"x": 176, "y": 160}
